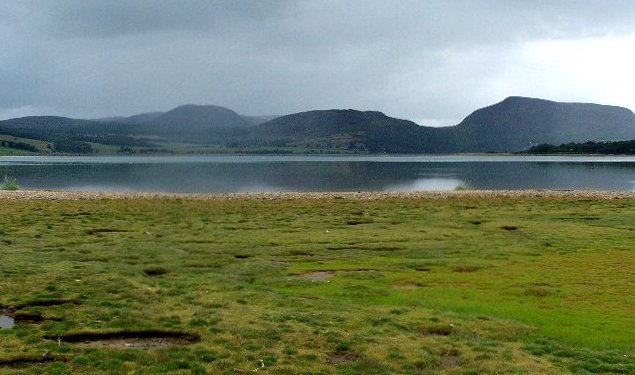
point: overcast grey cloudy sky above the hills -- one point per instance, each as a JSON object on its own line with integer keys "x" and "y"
{"x": 432, "y": 62}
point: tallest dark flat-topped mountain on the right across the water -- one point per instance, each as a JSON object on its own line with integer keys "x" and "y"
{"x": 518, "y": 123}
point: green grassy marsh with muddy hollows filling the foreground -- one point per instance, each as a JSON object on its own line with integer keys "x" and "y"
{"x": 454, "y": 285}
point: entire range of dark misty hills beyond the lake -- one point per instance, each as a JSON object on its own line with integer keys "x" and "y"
{"x": 515, "y": 124}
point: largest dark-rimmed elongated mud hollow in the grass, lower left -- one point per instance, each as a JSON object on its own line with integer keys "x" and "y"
{"x": 128, "y": 339}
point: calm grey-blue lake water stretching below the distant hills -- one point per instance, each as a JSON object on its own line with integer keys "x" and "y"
{"x": 318, "y": 173}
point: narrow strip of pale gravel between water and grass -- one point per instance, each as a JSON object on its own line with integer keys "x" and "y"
{"x": 69, "y": 195}
